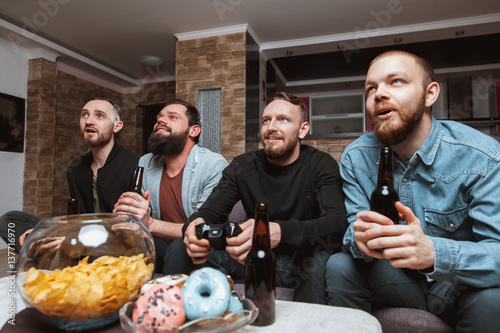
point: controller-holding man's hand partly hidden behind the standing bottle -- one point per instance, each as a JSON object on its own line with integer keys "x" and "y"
{"x": 239, "y": 246}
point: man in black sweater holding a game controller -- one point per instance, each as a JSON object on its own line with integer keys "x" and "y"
{"x": 302, "y": 188}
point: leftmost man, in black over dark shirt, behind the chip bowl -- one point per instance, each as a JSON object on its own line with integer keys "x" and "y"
{"x": 96, "y": 179}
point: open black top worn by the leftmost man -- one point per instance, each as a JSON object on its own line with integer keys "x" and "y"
{"x": 112, "y": 179}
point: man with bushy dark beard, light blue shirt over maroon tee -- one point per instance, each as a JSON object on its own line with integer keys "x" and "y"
{"x": 178, "y": 176}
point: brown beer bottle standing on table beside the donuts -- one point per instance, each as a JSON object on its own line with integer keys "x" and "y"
{"x": 260, "y": 270}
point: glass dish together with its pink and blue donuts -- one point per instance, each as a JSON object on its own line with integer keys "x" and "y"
{"x": 144, "y": 317}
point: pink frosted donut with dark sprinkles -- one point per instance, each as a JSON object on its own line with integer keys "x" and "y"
{"x": 160, "y": 306}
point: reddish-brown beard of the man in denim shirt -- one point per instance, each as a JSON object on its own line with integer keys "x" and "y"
{"x": 395, "y": 130}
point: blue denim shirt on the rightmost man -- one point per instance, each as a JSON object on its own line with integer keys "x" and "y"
{"x": 452, "y": 184}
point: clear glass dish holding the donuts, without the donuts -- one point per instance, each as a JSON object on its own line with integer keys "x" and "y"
{"x": 229, "y": 322}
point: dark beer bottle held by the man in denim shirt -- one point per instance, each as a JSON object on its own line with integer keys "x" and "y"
{"x": 384, "y": 196}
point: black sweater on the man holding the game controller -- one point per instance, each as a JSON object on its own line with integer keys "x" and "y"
{"x": 304, "y": 197}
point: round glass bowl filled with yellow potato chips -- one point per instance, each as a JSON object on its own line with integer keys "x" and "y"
{"x": 77, "y": 271}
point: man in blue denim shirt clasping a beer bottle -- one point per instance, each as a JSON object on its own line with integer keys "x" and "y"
{"x": 444, "y": 255}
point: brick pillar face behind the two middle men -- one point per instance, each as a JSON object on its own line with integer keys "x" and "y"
{"x": 214, "y": 62}
